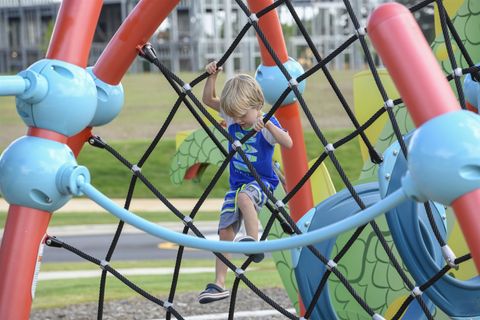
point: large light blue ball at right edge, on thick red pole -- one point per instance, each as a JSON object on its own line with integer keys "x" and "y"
{"x": 444, "y": 158}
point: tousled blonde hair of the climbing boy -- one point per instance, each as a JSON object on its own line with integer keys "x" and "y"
{"x": 240, "y": 94}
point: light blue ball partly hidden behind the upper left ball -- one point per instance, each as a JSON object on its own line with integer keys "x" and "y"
{"x": 110, "y": 100}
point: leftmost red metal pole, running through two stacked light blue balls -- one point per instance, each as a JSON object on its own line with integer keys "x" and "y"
{"x": 26, "y": 227}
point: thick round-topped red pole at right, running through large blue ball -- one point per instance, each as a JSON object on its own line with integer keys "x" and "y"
{"x": 406, "y": 54}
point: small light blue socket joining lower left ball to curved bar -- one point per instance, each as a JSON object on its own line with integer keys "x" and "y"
{"x": 69, "y": 179}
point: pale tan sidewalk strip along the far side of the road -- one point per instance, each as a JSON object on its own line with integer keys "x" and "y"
{"x": 137, "y": 205}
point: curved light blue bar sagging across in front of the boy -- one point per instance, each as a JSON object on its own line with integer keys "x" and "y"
{"x": 236, "y": 247}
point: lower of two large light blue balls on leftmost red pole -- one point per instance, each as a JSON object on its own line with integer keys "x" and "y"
{"x": 28, "y": 173}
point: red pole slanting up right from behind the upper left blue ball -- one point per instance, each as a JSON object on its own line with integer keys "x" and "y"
{"x": 135, "y": 31}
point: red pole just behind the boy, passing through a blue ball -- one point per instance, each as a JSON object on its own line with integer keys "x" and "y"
{"x": 294, "y": 159}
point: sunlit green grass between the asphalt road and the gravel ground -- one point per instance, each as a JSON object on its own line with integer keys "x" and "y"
{"x": 58, "y": 293}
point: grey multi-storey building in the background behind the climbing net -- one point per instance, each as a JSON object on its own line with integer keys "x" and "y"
{"x": 196, "y": 32}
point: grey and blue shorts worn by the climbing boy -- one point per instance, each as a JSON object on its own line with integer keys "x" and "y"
{"x": 230, "y": 214}
